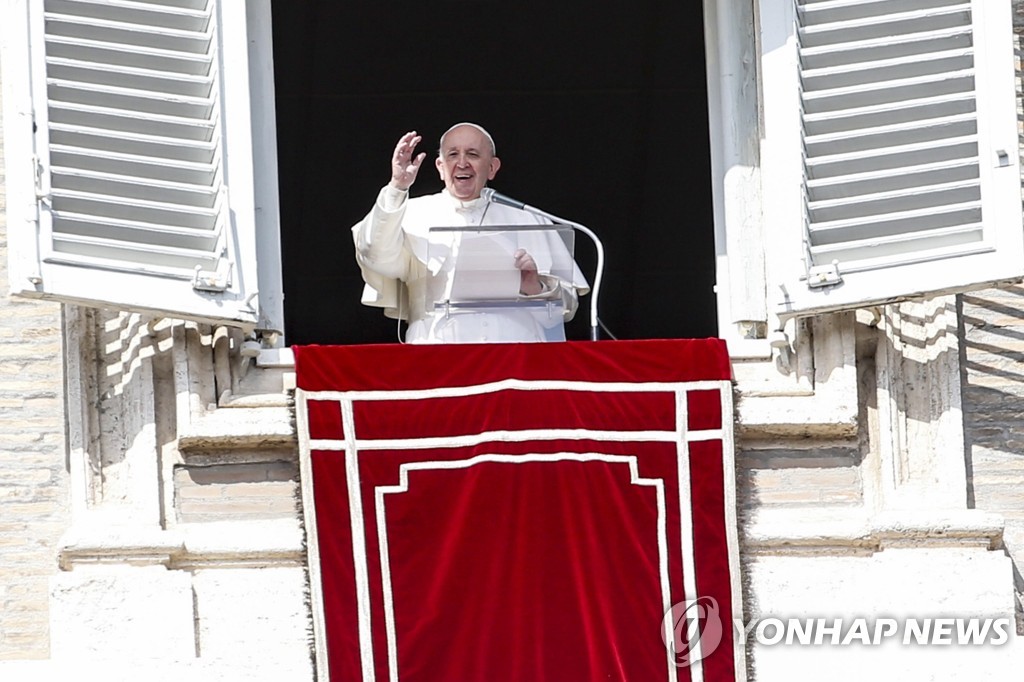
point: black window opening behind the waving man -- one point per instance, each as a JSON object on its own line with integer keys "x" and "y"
{"x": 600, "y": 114}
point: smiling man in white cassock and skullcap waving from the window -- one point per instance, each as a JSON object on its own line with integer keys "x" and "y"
{"x": 411, "y": 272}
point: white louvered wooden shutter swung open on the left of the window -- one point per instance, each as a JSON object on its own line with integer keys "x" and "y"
{"x": 139, "y": 207}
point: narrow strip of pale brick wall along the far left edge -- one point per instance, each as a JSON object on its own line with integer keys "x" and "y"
{"x": 33, "y": 476}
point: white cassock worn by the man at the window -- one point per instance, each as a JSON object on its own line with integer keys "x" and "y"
{"x": 409, "y": 270}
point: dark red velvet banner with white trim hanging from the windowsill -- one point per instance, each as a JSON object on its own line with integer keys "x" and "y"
{"x": 522, "y": 511}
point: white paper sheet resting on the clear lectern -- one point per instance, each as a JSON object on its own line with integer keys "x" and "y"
{"x": 485, "y": 269}
